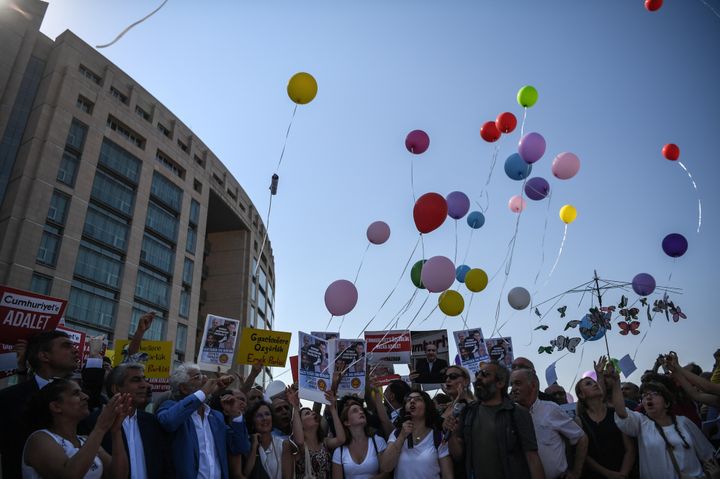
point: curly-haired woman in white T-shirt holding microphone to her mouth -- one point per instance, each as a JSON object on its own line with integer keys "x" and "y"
{"x": 416, "y": 449}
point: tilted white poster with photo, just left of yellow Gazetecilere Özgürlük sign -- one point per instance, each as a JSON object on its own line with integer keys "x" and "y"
{"x": 219, "y": 340}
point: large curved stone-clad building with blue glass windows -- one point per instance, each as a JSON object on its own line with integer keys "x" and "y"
{"x": 108, "y": 200}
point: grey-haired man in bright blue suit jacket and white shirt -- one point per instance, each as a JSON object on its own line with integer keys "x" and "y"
{"x": 200, "y": 439}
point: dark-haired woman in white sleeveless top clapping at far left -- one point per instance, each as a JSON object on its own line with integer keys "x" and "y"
{"x": 55, "y": 450}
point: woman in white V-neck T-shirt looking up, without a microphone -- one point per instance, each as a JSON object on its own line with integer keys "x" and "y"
{"x": 360, "y": 456}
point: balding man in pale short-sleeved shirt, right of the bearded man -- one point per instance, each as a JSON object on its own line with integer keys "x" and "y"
{"x": 552, "y": 427}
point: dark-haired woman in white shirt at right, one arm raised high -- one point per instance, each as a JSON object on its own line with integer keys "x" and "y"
{"x": 668, "y": 445}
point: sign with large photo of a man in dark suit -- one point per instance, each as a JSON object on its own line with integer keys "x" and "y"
{"x": 430, "y": 356}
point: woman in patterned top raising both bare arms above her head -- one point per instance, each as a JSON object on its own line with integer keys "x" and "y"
{"x": 307, "y": 453}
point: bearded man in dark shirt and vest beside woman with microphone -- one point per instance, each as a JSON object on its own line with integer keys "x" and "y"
{"x": 494, "y": 437}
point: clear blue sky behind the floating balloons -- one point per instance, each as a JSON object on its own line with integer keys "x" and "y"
{"x": 616, "y": 83}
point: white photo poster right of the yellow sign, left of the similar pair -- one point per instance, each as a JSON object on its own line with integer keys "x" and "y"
{"x": 316, "y": 371}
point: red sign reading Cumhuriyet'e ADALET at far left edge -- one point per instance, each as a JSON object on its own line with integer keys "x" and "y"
{"x": 24, "y": 314}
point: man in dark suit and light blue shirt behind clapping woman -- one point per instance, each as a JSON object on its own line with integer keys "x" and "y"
{"x": 146, "y": 444}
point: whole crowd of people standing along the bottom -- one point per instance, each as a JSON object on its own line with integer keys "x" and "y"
{"x": 497, "y": 423}
